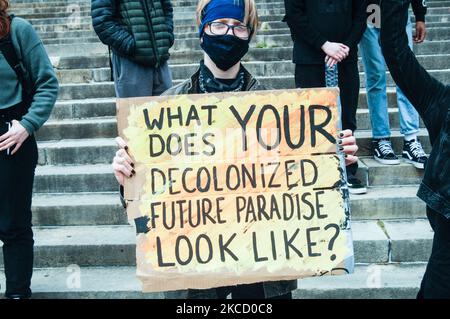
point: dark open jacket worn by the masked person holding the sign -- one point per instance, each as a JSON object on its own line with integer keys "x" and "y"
{"x": 271, "y": 288}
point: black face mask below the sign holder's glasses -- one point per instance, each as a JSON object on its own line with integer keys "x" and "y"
{"x": 224, "y": 50}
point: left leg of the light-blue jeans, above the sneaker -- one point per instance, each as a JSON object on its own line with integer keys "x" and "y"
{"x": 375, "y": 70}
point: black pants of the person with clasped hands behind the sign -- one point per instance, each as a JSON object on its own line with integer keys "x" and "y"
{"x": 313, "y": 76}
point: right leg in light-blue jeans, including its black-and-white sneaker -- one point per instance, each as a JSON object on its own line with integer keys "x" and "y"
{"x": 409, "y": 121}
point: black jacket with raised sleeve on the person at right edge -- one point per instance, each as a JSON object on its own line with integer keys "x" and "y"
{"x": 430, "y": 97}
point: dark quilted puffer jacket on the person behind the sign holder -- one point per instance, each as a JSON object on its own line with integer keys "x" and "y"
{"x": 141, "y": 30}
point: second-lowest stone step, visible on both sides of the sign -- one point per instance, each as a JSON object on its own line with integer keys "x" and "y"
{"x": 374, "y": 242}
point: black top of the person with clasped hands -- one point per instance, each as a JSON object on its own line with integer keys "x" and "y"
{"x": 313, "y": 22}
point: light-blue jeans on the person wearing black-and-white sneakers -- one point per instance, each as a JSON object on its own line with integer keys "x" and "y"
{"x": 375, "y": 68}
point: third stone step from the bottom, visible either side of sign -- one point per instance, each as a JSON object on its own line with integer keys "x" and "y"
{"x": 90, "y": 209}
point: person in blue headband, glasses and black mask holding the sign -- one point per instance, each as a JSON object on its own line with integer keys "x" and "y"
{"x": 226, "y": 28}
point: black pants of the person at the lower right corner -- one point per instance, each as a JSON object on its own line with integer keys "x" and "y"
{"x": 436, "y": 281}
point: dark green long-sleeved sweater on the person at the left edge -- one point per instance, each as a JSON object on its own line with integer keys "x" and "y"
{"x": 38, "y": 70}
